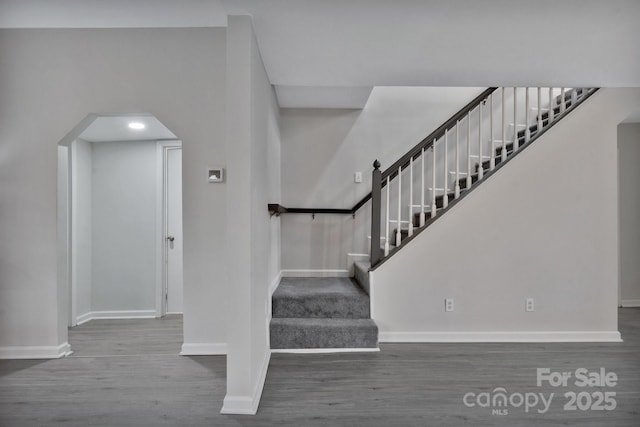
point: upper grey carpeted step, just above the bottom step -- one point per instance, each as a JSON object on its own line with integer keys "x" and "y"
{"x": 320, "y": 297}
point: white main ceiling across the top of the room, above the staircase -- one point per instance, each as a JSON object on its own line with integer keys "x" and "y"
{"x": 327, "y": 52}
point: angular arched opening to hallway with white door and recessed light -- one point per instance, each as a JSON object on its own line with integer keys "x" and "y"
{"x": 120, "y": 220}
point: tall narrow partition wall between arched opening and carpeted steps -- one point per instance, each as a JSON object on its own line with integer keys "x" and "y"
{"x": 253, "y": 177}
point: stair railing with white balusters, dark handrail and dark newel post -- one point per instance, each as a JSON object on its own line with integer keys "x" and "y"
{"x": 530, "y": 118}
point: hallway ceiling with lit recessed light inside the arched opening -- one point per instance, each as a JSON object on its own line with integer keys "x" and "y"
{"x": 115, "y": 128}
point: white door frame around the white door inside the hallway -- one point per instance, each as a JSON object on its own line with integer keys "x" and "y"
{"x": 162, "y": 148}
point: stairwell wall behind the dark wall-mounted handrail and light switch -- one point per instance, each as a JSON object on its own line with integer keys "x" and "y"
{"x": 321, "y": 150}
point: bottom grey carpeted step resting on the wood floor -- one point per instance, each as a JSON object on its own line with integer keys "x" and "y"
{"x": 300, "y": 333}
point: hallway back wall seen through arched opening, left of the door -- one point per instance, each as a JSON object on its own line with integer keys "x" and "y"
{"x": 124, "y": 221}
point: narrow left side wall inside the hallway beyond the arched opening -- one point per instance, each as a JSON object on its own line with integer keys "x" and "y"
{"x": 81, "y": 210}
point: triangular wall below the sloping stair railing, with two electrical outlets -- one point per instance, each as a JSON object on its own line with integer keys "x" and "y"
{"x": 544, "y": 226}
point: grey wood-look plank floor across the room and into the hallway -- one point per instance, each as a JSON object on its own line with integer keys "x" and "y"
{"x": 128, "y": 373}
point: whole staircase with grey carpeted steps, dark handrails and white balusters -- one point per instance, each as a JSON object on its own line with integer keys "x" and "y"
{"x": 406, "y": 198}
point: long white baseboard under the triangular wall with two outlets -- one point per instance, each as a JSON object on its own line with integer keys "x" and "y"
{"x": 465, "y": 337}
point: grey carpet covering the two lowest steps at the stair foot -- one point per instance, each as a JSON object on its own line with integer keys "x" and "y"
{"x": 328, "y": 312}
